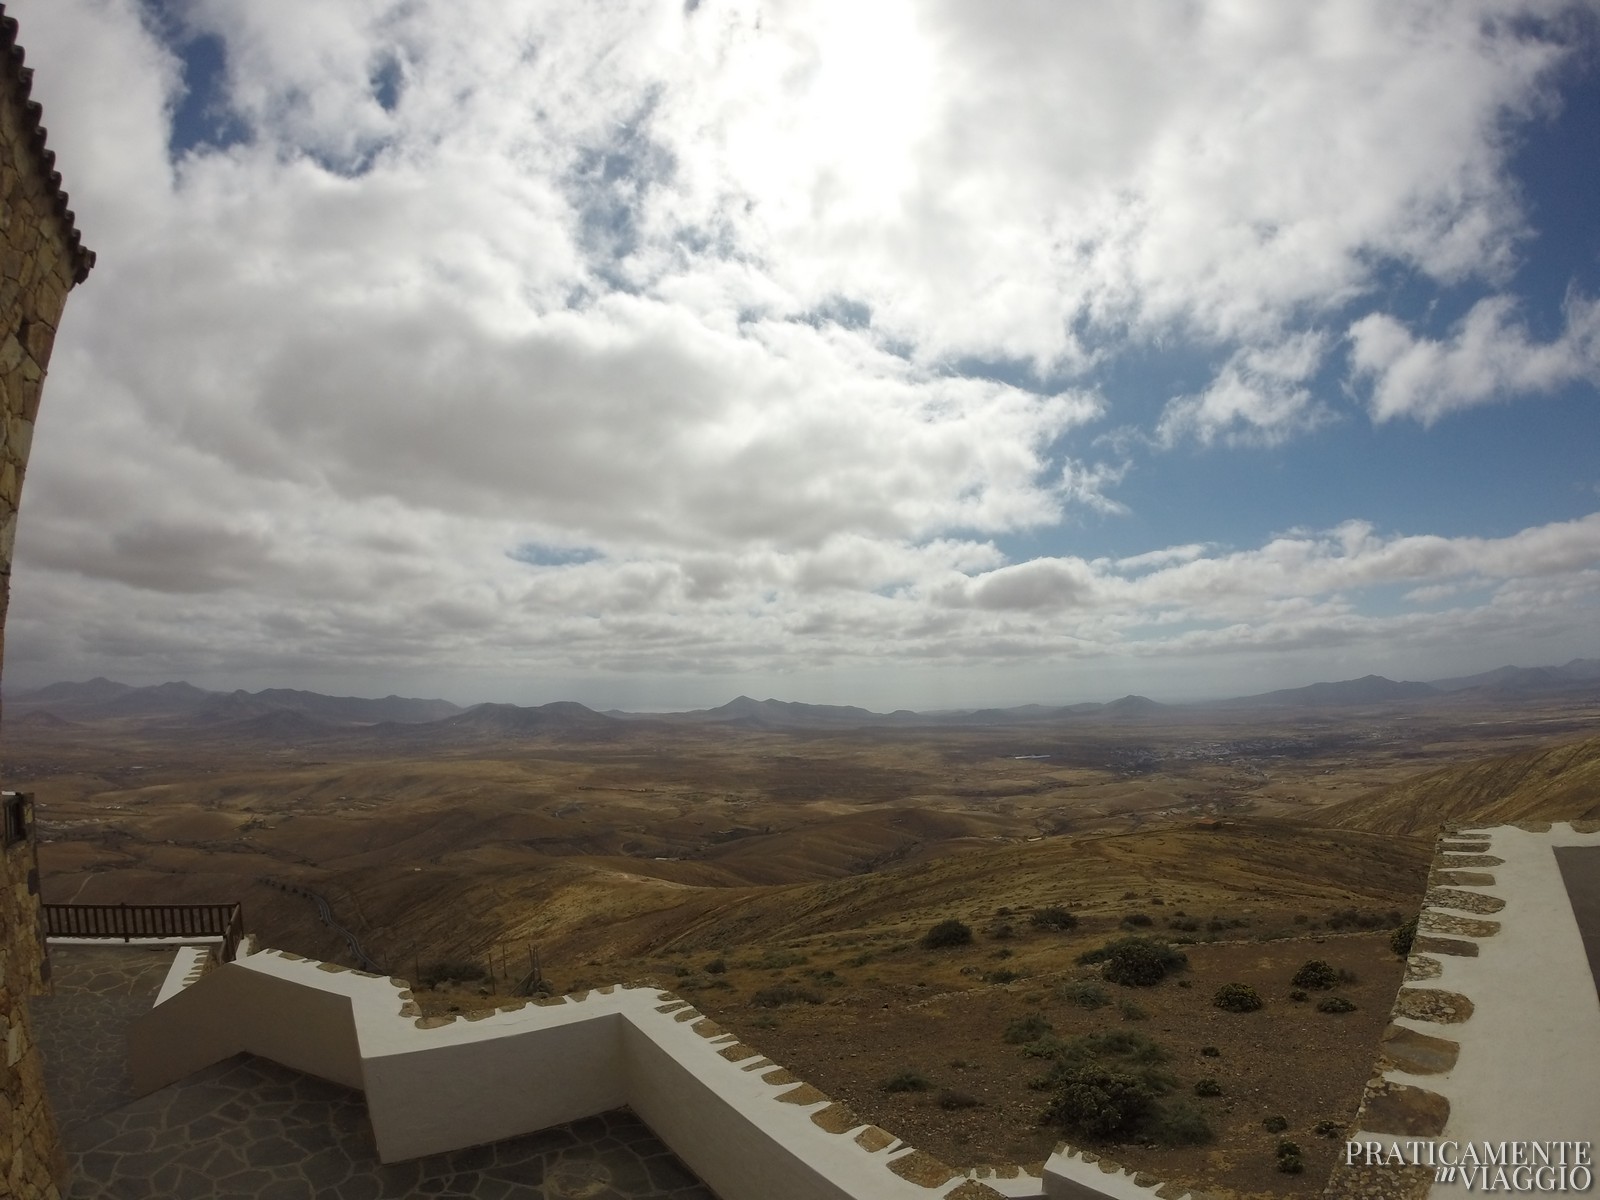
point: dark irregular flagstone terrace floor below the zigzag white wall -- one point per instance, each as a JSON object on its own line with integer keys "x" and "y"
{"x": 254, "y": 1130}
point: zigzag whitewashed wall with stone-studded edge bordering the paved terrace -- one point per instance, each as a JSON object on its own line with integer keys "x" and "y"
{"x": 738, "y": 1119}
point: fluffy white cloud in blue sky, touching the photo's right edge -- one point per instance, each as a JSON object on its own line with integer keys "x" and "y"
{"x": 1490, "y": 358}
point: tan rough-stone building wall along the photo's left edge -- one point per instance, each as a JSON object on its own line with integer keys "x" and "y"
{"x": 41, "y": 260}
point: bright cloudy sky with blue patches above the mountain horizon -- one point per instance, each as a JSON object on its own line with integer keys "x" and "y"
{"x": 898, "y": 354}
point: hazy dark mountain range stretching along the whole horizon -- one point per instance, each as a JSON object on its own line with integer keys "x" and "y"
{"x": 286, "y": 714}
